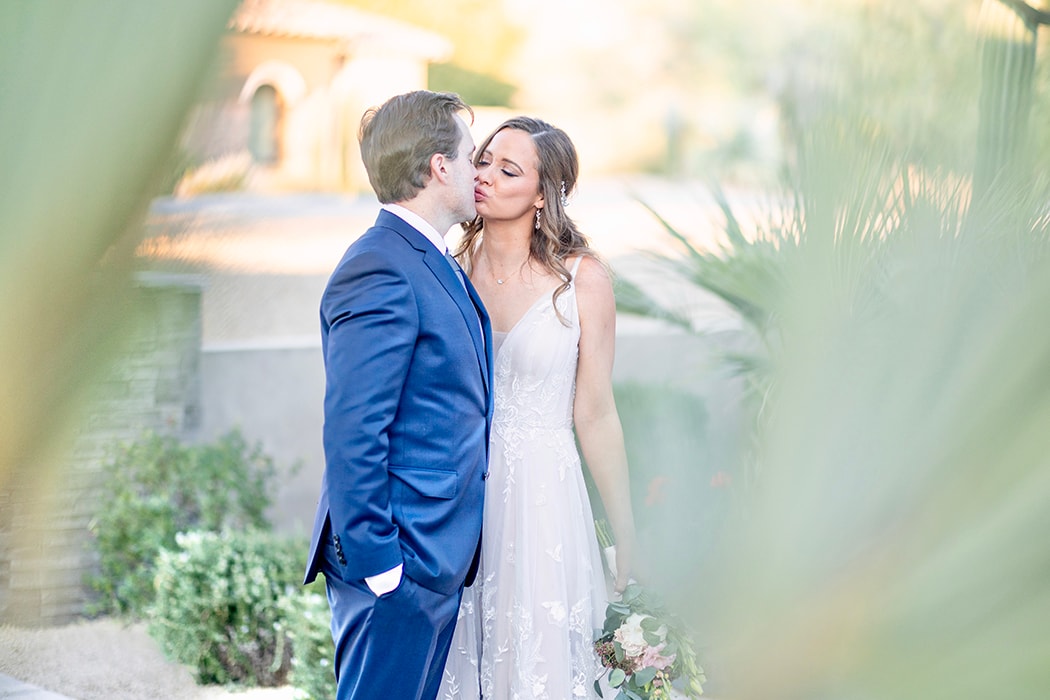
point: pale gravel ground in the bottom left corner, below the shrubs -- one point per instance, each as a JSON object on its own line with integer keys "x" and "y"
{"x": 108, "y": 661}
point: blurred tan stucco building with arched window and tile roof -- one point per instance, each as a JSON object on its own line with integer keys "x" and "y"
{"x": 291, "y": 82}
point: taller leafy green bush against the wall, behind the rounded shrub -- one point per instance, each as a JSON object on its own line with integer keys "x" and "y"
{"x": 156, "y": 487}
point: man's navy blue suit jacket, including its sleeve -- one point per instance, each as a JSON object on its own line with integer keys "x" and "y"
{"x": 408, "y": 412}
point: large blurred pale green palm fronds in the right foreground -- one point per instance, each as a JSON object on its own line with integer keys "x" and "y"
{"x": 905, "y": 391}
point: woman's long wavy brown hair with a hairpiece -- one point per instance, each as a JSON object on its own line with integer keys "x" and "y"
{"x": 557, "y": 239}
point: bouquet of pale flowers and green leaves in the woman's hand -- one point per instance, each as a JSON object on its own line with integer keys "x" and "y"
{"x": 646, "y": 650}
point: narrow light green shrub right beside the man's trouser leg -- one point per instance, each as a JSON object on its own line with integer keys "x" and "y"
{"x": 309, "y": 623}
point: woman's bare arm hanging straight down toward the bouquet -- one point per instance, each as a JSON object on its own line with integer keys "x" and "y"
{"x": 595, "y": 412}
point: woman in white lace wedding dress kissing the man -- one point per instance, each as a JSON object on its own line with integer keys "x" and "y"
{"x": 527, "y": 627}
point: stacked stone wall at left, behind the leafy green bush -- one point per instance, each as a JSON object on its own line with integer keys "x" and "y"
{"x": 46, "y": 513}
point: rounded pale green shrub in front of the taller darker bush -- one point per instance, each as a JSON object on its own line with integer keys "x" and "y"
{"x": 219, "y": 605}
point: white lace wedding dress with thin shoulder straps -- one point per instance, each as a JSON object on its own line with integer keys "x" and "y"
{"x": 527, "y": 627}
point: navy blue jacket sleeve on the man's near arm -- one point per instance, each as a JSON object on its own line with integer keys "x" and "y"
{"x": 372, "y": 320}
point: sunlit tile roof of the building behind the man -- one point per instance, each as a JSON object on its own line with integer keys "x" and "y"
{"x": 316, "y": 19}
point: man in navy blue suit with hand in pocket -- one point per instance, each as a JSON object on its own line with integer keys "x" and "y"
{"x": 408, "y": 410}
